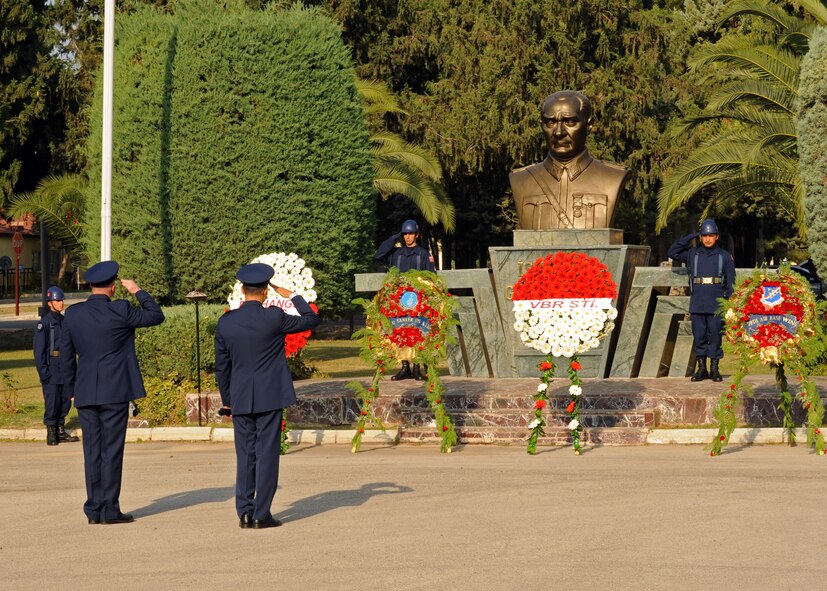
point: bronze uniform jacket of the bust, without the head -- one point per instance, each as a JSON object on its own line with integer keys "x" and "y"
{"x": 584, "y": 196}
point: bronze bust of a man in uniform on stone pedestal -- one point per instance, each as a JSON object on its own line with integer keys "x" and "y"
{"x": 569, "y": 189}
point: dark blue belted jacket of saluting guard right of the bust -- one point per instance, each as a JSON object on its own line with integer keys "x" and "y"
{"x": 711, "y": 273}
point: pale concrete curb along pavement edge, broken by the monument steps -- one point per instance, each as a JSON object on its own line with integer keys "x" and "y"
{"x": 747, "y": 435}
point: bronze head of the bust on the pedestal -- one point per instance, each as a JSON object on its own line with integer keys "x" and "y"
{"x": 566, "y": 119}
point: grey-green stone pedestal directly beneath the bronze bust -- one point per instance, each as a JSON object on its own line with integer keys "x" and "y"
{"x": 509, "y": 264}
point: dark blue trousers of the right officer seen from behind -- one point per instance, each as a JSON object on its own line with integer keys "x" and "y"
{"x": 257, "y": 450}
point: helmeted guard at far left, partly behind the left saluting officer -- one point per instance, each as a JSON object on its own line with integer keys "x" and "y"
{"x": 47, "y": 359}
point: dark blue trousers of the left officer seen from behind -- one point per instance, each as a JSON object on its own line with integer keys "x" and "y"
{"x": 104, "y": 434}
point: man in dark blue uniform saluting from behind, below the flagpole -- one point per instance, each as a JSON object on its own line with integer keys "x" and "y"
{"x": 105, "y": 378}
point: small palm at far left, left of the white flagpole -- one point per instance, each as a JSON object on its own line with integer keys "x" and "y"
{"x": 60, "y": 202}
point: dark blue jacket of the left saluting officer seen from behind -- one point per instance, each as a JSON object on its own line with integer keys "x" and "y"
{"x": 102, "y": 334}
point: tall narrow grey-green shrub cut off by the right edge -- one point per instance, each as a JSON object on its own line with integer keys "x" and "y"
{"x": 812, "y": 145}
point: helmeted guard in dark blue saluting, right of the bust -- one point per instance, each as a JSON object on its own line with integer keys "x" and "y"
{"x": 711, "y": 276}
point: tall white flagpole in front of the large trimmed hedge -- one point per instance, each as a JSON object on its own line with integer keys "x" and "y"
{"x": 106, "y": 149}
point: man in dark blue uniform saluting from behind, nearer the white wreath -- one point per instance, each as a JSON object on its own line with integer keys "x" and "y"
{"x": 255, "y": 386}
